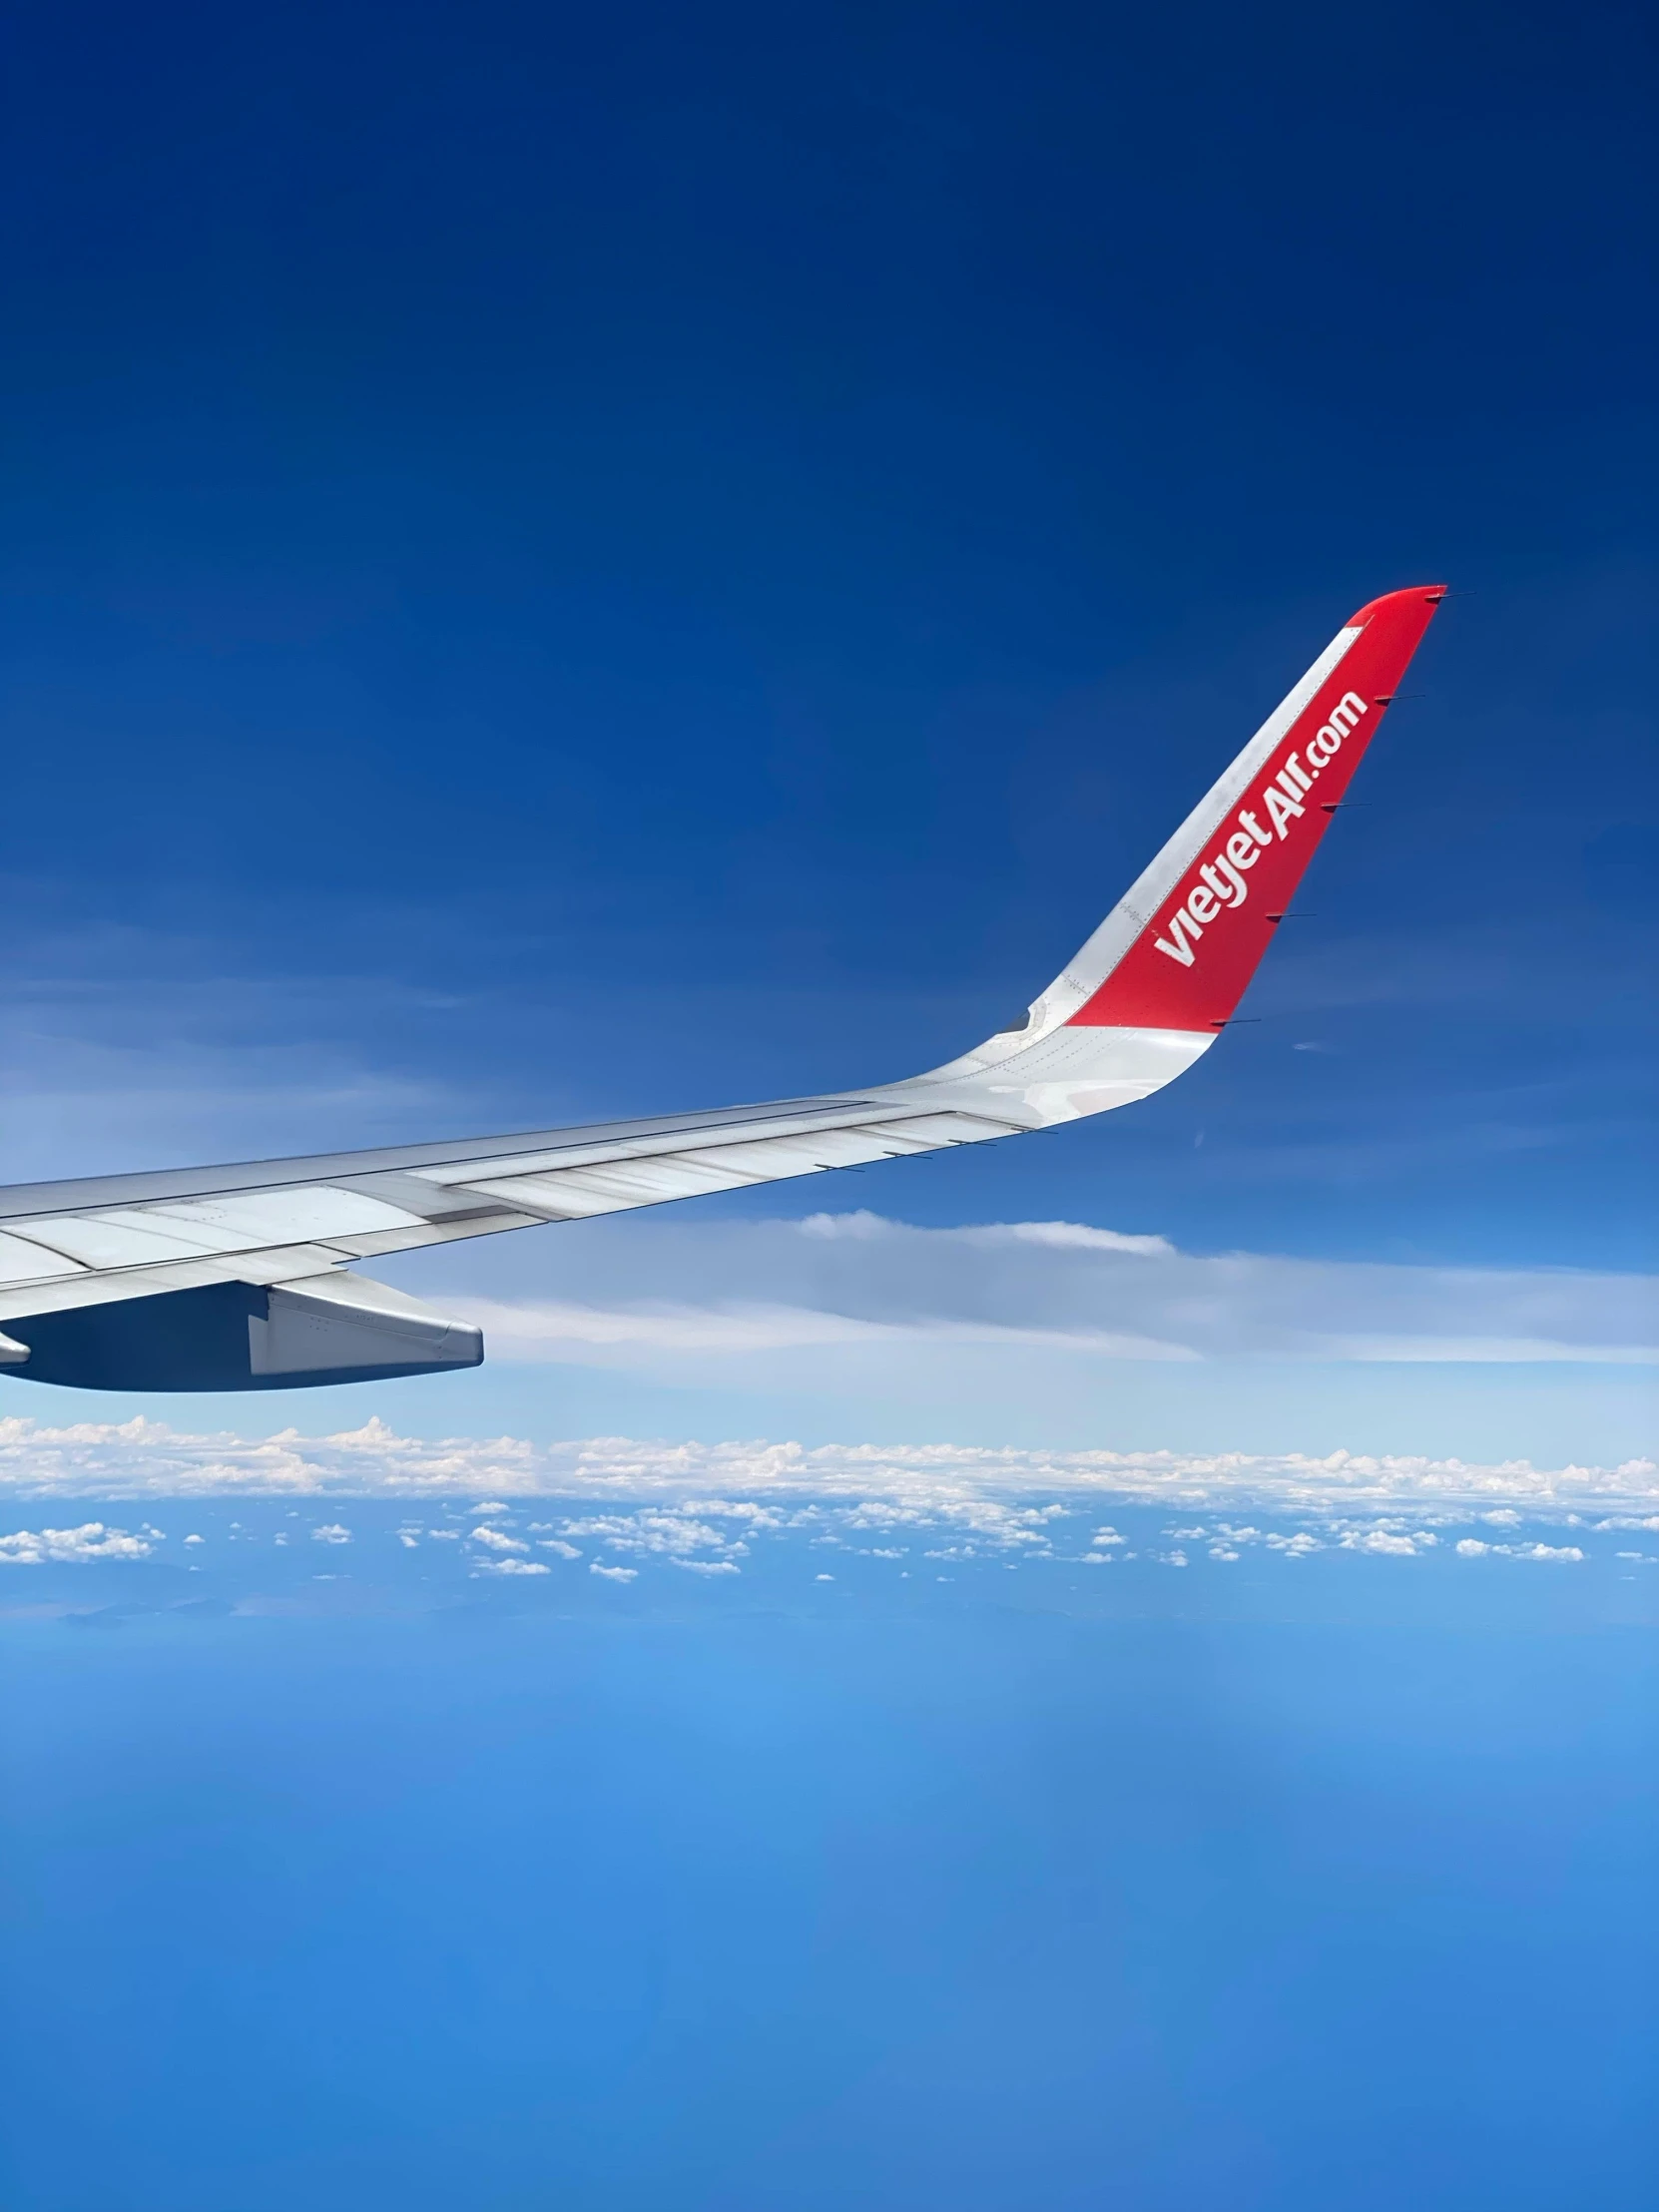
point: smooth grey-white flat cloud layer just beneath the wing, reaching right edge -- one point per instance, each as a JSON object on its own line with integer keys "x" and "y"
{"x": 864, "y": 1288}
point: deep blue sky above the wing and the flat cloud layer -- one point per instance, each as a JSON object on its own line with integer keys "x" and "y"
{"x": 601, "y": 563}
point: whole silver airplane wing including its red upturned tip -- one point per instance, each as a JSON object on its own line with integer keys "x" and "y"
{"x": 238, "y": 1277}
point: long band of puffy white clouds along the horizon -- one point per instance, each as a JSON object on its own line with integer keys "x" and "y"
{"x": 735, "y": 1490}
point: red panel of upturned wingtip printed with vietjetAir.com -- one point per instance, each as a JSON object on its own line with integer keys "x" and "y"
{"x": 1193, "y": 961}
